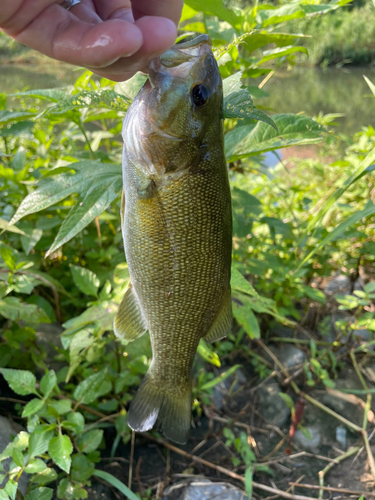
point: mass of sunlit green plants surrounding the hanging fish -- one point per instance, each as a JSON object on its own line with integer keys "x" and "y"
{"x": 62, "y": 256}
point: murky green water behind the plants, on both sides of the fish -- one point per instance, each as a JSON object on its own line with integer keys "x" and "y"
{"x": 308, "y": 90}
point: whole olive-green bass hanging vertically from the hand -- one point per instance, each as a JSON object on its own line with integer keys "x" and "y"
{"x": 177, "y": 229}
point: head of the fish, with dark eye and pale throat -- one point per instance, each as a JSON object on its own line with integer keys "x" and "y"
{"x": 174, "y": 109}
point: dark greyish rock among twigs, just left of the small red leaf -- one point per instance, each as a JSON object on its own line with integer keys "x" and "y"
{"x": 272, "y": 406}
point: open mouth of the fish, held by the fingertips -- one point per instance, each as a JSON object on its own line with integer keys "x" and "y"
{"x": 179, "y": 60}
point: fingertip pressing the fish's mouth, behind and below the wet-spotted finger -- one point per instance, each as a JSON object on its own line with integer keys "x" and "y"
{"x": 158, "y": 36}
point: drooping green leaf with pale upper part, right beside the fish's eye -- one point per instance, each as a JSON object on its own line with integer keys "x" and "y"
{"x": 238, "y": 102}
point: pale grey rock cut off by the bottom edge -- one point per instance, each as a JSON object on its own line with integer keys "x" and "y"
{"x": 203, "y": 489}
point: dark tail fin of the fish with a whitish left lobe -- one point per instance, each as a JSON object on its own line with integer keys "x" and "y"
{"x": 172, "y": 409}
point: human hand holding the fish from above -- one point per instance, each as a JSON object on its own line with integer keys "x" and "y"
{"x": 112, "y": 38}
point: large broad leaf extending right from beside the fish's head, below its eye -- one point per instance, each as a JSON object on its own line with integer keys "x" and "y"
{"x": 250, "y": 140}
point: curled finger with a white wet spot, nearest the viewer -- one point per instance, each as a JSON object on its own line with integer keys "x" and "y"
{"x": 58, "y": 33}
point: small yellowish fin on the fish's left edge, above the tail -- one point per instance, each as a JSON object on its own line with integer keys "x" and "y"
{"x": 129, "y": 322}
